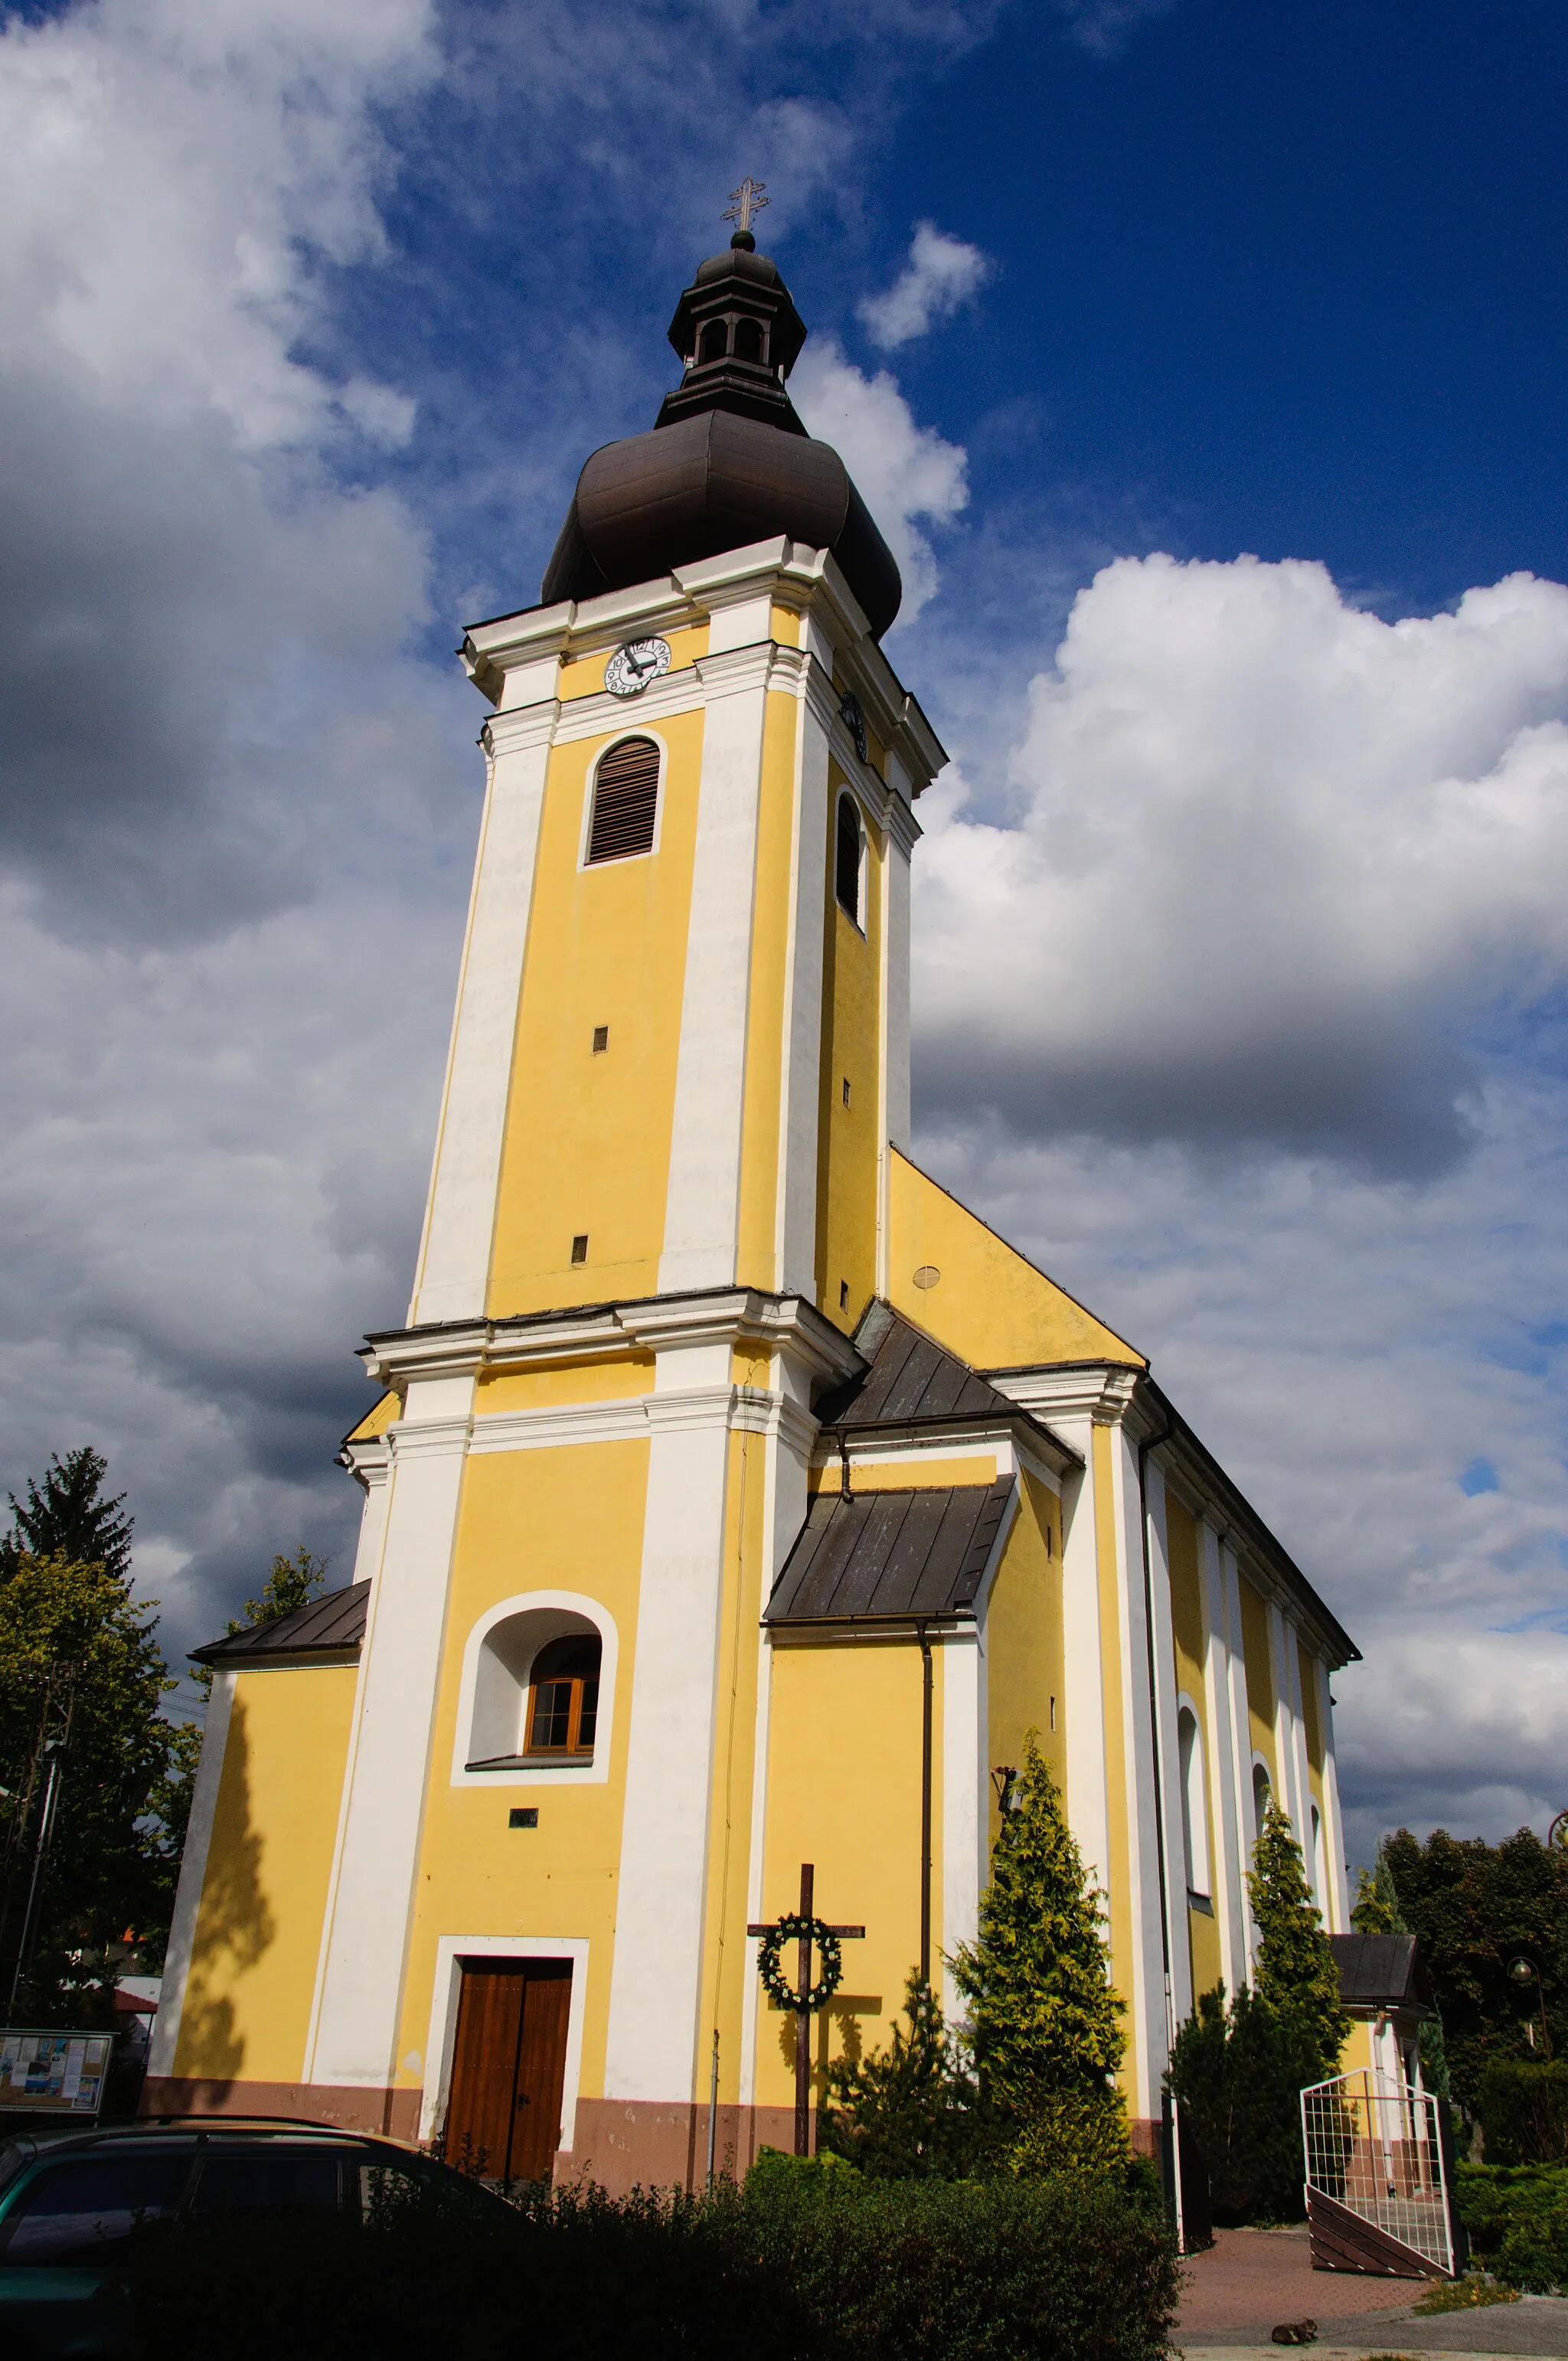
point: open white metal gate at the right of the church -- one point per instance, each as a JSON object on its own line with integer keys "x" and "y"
{"x": 1373, "y": 2147}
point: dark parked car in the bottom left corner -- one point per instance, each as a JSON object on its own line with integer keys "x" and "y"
{"x": 74, "y": 2204}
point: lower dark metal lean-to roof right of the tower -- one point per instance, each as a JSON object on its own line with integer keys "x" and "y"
{"x": 889, "y": 1557}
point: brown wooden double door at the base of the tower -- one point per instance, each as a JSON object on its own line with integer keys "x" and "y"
{"x": 509, "y": 2067}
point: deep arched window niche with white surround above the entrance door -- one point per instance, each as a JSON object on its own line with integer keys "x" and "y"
{"x": 533, "y": 1692}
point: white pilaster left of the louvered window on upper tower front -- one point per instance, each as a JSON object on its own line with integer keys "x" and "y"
{"x": 462, "y": 1212}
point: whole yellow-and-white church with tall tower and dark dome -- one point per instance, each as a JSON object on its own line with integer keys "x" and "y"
{"x": 733, "y": 1496}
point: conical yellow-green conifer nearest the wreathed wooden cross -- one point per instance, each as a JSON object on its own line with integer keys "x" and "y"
{"x": 1045, "y": 2020}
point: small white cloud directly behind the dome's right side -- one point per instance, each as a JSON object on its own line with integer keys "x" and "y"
{"x": 903, "y": 471}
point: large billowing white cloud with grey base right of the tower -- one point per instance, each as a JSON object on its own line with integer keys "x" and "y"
{"x": 1269, "y": 854}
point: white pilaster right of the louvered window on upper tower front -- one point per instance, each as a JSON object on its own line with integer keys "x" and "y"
{"x": 703, "y": 1205}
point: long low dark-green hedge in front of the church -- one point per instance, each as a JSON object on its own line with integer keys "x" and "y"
{"x": 806, "y": 2263}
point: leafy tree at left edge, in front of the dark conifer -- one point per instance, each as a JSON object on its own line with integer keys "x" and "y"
{"x": 79, "y": 1656}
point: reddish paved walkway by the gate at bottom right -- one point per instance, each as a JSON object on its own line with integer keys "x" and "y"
{"x": 1255, "y": 2280}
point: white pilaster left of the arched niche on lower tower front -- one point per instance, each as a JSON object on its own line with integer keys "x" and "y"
{"x": 374, "y": 1878}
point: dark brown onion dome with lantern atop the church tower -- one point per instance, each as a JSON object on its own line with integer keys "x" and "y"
{"x": 726, "y": 462}
